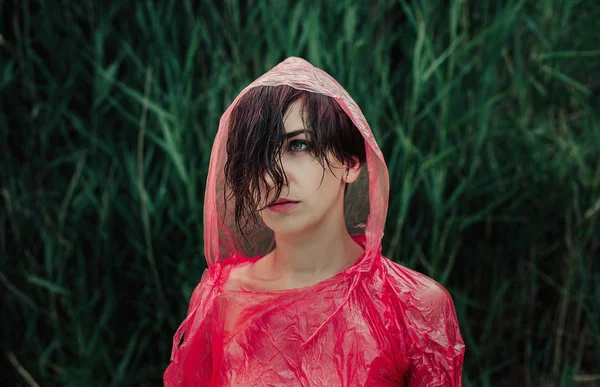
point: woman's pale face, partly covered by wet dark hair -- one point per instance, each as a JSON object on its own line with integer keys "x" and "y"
{"x": 312, "y": 192}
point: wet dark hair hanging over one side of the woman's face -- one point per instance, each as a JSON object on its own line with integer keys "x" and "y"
{"x": 257, "y": 134}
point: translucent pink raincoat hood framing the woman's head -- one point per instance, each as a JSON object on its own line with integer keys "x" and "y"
{"x": 366, "y": 200}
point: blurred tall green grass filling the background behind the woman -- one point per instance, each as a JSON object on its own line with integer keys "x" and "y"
{"x": 487, "y": 112}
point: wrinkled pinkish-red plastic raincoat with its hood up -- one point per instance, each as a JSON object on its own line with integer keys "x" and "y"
{"x": 376, "y": 323}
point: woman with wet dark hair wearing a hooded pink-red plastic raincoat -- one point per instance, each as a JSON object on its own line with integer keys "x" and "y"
{"x": 297, "y": 292}
